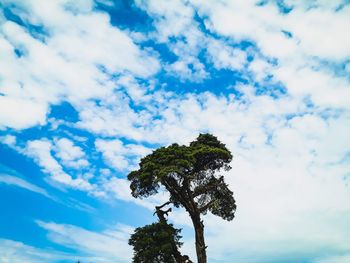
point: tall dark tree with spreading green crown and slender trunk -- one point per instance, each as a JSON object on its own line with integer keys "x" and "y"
{"x": 189, "y": 174}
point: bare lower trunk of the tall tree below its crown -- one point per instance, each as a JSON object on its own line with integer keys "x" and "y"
{"x": 199, "y": 234}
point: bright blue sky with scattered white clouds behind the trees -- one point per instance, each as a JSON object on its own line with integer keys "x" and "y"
{"x": 87, "y": 88}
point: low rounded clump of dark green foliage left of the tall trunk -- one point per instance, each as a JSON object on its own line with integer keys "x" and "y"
{"x": 158, "y": 243}
